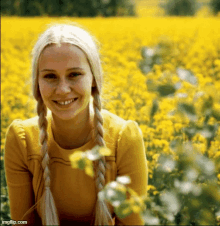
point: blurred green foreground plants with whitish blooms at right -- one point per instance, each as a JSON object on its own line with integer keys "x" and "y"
{"x": 184, "y": 187}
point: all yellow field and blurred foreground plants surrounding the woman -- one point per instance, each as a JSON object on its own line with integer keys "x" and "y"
{"x": 174, "y": 97}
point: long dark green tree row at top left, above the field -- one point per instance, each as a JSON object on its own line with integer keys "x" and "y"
{"x": 68, "y": 8}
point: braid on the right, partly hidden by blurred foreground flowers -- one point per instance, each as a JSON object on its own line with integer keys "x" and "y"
{"x": 102, "y": 213}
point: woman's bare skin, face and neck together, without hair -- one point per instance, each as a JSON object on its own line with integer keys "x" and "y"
{"x": 65, "y": 83}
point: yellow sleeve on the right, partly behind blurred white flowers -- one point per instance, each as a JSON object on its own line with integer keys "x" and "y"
{"x": 131, "y": 161}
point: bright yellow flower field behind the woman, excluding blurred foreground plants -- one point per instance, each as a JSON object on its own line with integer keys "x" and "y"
{"x": 190, "y": 44}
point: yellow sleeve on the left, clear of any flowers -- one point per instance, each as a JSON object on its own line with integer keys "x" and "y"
{"x": 18, "y": 177}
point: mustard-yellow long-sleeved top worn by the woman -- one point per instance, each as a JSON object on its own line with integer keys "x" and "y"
{"x": 73, "y": 190}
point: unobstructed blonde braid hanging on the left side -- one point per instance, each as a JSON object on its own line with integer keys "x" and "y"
{"x": 47, "y": 204}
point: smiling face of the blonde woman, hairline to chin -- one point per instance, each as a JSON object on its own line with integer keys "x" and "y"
{"x": 65, "y": 80}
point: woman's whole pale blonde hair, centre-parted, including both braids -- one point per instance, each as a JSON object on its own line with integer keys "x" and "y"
{"x": 72, "y": 34}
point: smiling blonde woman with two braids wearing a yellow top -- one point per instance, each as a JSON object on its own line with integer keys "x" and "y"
{"x": 67, "y": 79}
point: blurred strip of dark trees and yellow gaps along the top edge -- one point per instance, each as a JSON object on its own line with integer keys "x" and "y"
{"x": 107, "y": 8}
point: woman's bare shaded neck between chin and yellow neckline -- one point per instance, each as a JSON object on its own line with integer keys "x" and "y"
{"x": 71, "y": 134}
